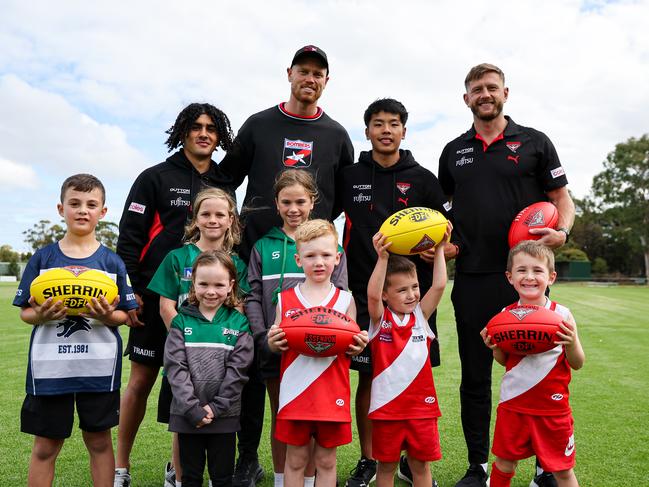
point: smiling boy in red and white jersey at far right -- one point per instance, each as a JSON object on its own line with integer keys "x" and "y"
{"x": 534, "y": 416}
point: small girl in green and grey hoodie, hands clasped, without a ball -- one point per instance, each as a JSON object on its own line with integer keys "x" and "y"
{"x": 207, "y": 355}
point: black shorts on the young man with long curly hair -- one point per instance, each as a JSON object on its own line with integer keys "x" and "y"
{"x": 146, "y": 343}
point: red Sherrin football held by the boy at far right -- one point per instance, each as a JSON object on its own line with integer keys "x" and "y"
{"x": 525, "y": 329}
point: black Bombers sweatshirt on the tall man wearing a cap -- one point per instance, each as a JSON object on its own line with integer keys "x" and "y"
{"x": 273, "y": 140}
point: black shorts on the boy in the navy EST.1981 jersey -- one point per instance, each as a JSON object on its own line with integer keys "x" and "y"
{"x": 53, "y": 416}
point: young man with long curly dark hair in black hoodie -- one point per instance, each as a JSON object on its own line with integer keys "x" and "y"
{"x": 153, "y": 222}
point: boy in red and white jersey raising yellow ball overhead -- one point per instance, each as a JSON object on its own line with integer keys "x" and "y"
{"x": 403, "y": 402}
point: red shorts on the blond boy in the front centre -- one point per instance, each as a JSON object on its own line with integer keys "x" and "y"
{"x": 328, "y": 434}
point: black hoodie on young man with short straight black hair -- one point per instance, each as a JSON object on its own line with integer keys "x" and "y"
{"x": 370, "y": 193}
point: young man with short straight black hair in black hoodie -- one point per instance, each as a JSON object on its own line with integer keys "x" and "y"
{"x": 385, "y": 180}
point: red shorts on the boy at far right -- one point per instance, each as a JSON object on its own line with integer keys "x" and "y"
{"x": 550, "y": 438}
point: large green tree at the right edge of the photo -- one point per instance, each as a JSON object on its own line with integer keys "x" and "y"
{"x": 622, "y": 191}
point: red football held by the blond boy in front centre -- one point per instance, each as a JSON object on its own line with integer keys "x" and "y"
{"x": 319, "y": 331}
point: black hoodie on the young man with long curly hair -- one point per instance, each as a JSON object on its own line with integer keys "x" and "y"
{"x": 156, "y": 211}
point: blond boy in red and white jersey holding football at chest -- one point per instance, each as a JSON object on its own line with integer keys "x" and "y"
{"x": 314, "y": 392}
